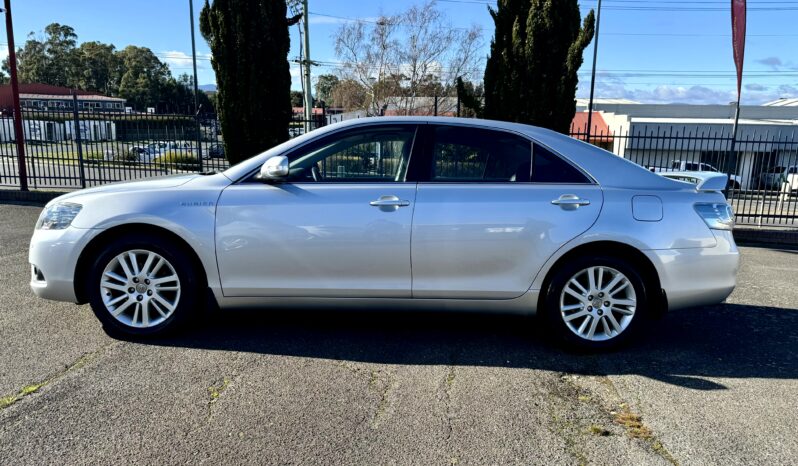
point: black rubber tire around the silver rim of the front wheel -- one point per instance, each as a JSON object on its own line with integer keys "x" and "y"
{"x": 187, "y": 302}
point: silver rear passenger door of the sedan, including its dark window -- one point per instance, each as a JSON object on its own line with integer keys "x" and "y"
{"x": 491, "y": 208}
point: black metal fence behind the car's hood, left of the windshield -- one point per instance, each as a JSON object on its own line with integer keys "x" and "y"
{"x": 72, "y": 150}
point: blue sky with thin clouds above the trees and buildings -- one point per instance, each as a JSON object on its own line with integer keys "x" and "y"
{"x": 649, "y": 50}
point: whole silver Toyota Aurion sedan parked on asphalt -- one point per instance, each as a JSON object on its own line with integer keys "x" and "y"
{"x": 399, "y": 213}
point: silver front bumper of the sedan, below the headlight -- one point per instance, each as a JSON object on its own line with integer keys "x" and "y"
{"x": 53, "y": 256}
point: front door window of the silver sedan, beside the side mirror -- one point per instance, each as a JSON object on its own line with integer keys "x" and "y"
{"x": 375, "y": 154}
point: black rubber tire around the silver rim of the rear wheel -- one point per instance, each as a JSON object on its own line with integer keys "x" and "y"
{"x": 554, "y": 318}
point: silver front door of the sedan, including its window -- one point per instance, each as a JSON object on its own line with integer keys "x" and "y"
{"x": 339, "y": 225}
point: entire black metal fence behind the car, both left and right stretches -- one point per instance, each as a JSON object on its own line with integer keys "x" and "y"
{"x": 72, "y": 150}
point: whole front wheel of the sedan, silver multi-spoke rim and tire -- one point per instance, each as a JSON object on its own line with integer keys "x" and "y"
{"x": 141, "y": 286}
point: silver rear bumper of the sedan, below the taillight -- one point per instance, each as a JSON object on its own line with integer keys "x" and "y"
{"x": 698, "y": 276}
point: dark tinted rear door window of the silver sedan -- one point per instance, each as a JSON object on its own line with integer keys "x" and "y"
{"x": 471, "y": 154}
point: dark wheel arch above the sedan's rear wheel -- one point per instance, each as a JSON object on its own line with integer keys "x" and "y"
{"x": 657, "y": 299}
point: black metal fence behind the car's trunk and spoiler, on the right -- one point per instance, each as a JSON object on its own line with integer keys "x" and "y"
{"x": 763, "y": 167}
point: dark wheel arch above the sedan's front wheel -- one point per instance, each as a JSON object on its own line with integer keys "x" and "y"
{"x": 97, "y": 243}
